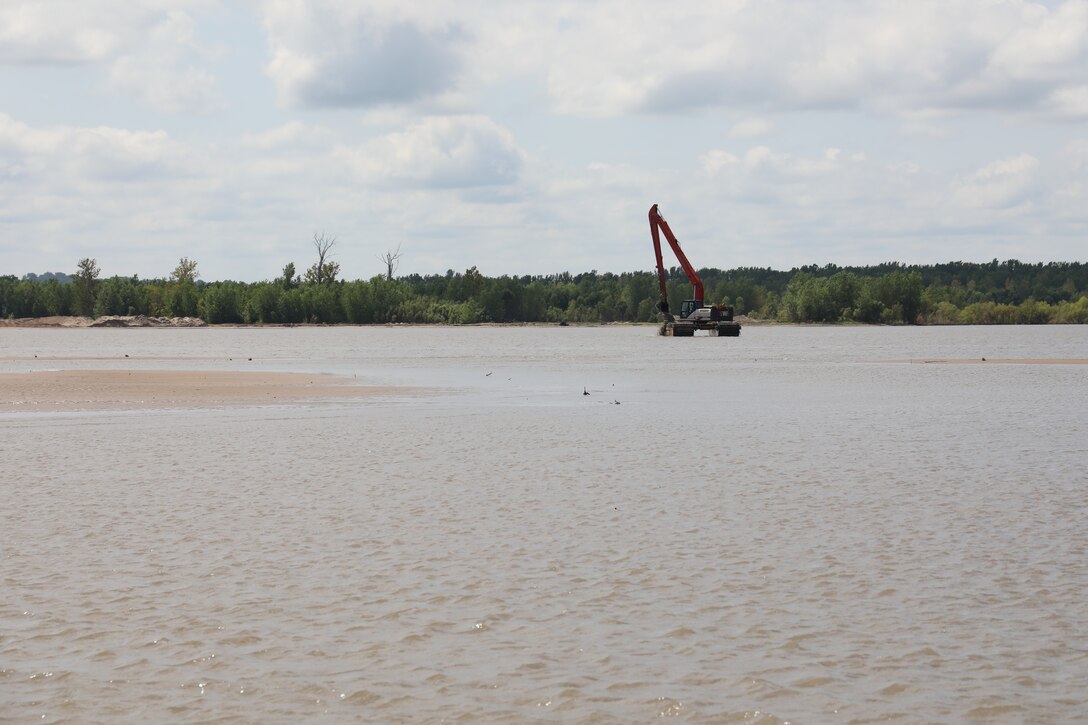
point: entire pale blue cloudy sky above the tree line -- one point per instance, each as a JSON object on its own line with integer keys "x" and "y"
{"x": 533, "y": 137}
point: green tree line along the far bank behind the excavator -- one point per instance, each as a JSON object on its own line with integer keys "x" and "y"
{"x": 955, "y": 293}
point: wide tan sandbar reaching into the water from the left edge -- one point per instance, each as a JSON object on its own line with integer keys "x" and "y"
{"x": 127, "y": 390}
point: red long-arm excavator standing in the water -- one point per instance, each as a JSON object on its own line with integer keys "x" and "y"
{"x": 718, "y": 320}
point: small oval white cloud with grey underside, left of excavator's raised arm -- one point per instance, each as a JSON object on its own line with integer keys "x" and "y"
{"x": 448, "y": 152}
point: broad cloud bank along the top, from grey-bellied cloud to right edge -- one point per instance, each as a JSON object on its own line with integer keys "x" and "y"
{"x": 604, "y": 59}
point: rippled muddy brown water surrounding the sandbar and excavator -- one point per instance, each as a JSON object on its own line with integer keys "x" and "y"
{"x": 777, "y": 527}
